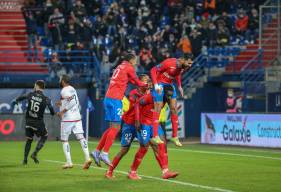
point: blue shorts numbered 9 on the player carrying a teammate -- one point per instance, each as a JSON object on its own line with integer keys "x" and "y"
{"x": 146, "y": 133}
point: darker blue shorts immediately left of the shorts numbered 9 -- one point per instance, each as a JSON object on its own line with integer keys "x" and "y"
{"x": 128, "y": 134}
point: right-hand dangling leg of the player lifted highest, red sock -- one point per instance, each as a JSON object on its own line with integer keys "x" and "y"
{"x": 174, "y": 120}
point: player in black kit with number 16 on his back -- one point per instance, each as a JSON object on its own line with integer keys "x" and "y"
{"x": 37, "y": 103}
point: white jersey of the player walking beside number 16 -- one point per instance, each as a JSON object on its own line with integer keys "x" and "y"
{"x": 69, "y": 97}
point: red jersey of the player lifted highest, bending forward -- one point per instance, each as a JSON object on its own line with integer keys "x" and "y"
{"x": 167, "y": 72}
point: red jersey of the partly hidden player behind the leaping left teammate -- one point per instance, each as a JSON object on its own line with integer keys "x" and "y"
{"x": 129, "y": 116}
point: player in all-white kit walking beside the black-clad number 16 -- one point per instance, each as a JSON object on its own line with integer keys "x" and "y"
{"x": 71, "y": 122}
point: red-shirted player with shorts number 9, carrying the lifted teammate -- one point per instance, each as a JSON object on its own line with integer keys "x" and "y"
{"x": 144, "y": 115}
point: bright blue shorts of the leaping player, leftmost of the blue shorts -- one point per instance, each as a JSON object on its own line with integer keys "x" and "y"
{"x": 113, "y": 109}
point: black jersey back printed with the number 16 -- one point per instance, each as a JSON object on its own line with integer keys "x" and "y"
{"x": 37, "y": 103}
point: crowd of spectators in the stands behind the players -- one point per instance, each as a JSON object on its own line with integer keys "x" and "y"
{"x": 154, "y": 29}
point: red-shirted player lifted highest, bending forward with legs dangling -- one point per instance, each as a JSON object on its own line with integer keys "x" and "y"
{"x": 163, "y": 75}
